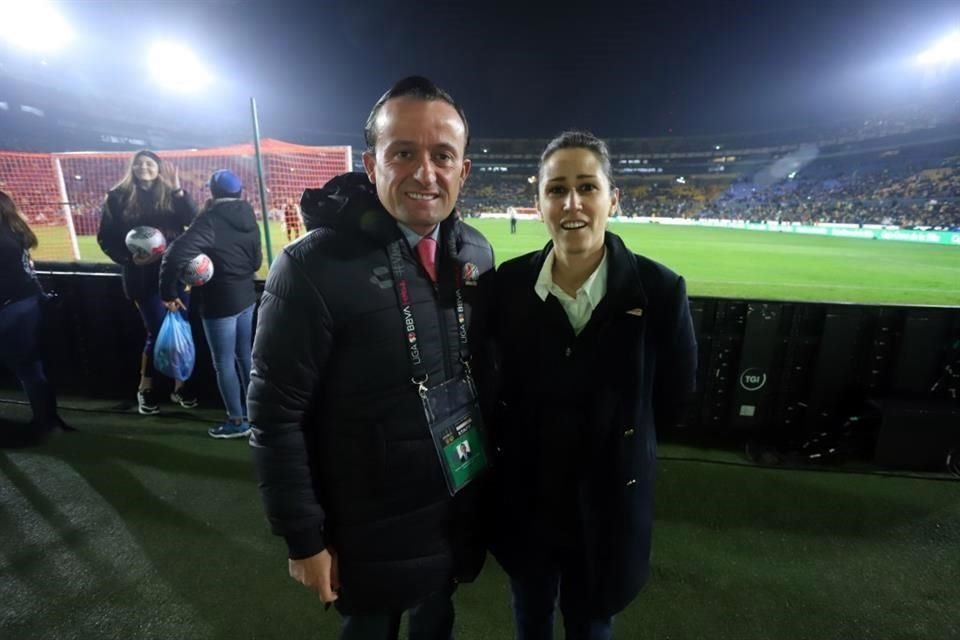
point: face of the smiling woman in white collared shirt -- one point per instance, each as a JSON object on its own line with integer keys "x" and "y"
{"x": 575, "y": 200}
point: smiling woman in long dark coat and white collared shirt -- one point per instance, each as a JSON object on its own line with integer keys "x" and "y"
{"x": 596, "y": 348}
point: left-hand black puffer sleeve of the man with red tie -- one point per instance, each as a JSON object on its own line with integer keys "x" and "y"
{"x": 291, "y": 348}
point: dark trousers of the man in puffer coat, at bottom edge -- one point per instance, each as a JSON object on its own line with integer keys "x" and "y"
{"x": 432, "y": 619}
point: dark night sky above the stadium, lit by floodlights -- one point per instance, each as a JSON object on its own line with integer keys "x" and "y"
{"x": 525, "y": 69}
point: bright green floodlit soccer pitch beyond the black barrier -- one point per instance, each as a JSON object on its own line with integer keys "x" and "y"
{"x": 727, "y": 263}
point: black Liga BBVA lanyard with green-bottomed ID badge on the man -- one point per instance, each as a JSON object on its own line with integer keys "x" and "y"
{"x": 451, "y": 408}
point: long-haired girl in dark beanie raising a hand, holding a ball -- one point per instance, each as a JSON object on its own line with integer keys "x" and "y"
{"x": 149, "y": 195}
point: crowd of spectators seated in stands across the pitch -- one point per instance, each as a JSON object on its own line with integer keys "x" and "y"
{"x": 904, "y": 188}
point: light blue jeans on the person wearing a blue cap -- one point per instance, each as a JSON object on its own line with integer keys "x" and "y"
{"x": 231, "y": 342}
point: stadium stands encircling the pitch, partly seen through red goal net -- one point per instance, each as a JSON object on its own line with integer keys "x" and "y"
{"x": 900, "y": 168}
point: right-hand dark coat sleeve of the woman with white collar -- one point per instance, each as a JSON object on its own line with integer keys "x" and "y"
{"x": 676, "y": 359}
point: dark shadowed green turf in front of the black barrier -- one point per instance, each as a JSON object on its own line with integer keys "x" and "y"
{"x": 143, "y": 527}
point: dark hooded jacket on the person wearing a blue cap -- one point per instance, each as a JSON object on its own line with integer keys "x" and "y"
{"x": 226, "y": 230}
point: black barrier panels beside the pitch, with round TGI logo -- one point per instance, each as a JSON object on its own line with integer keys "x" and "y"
{"x": 780, "y": 369}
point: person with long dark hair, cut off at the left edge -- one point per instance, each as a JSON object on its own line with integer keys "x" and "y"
{"x": 20, "y": 312}
